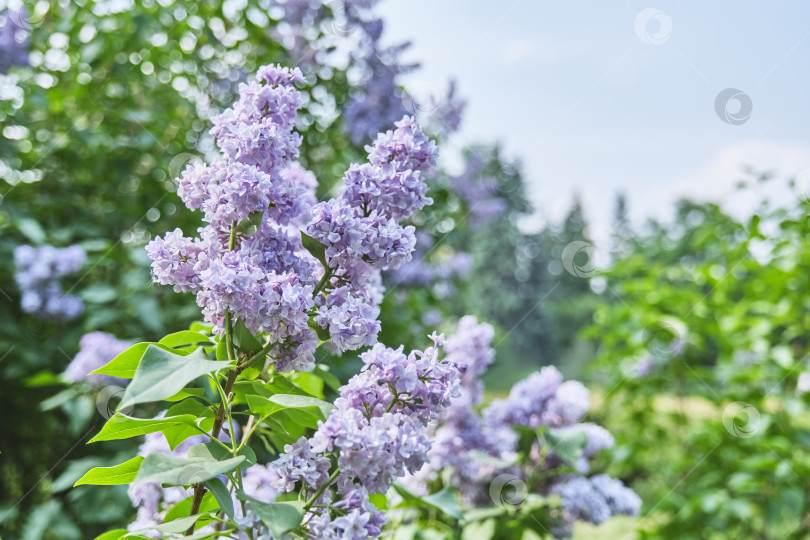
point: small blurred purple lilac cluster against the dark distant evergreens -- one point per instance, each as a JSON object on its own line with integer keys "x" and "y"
{"x": 478, "y": 191}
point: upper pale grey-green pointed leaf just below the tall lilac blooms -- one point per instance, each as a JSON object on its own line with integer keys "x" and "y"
{"x": 162, "y": 374}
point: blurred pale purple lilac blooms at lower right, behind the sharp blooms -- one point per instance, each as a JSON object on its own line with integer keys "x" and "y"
{"x": 543, "y": 400}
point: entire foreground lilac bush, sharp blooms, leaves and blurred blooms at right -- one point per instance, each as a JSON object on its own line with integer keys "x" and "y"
{"x": 277, "y": 275}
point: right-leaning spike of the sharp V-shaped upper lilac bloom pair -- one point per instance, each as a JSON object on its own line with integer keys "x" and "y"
{"x": 362, "y": 235}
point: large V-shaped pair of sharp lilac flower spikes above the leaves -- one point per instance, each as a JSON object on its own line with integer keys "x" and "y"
{"x": 263, "y": 276}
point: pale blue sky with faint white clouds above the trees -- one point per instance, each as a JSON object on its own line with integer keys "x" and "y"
{"x": 600, "y": 97}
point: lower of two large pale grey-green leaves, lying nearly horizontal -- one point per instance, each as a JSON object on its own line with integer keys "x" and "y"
{"x": 165, "y": 469}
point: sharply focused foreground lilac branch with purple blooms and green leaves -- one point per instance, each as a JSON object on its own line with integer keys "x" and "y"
{"x": 277, "y": 274}
